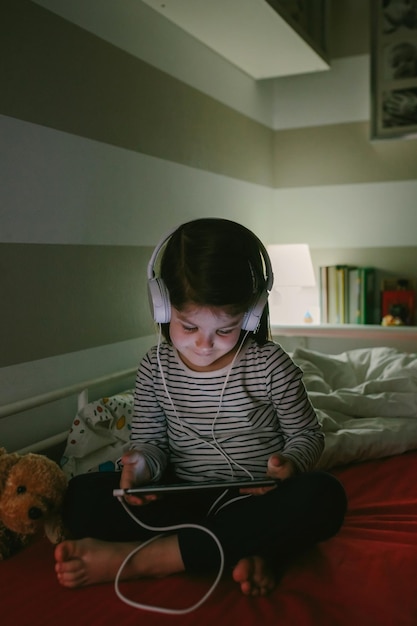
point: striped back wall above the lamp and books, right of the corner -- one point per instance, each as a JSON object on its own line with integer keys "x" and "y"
{"x": 336, "y": 188}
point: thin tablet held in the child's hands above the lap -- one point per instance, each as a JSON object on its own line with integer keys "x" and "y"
{"x": 185, "y": 487}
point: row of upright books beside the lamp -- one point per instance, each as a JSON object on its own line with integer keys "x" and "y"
{"x": 349, "y": 295}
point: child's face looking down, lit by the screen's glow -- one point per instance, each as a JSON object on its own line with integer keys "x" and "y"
{"x": 206, "y": 338}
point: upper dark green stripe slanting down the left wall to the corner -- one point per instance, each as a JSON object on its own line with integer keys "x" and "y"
{"x": 61, "y": 76}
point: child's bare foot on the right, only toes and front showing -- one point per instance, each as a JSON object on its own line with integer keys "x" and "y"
{"x": 254, "y": 576}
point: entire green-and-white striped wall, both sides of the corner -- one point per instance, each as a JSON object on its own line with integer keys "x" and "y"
{"x": 115, "y": 126}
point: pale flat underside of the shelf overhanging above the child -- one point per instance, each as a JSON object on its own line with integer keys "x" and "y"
{"x": 250, "y": 34}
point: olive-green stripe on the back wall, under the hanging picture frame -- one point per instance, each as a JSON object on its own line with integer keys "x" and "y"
{"x": 340, "y": 154}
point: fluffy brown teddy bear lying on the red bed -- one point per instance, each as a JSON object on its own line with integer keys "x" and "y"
{"x": 32, "y": 489}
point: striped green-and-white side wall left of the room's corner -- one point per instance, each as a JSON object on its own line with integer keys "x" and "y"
{"x": 102, "y": 152}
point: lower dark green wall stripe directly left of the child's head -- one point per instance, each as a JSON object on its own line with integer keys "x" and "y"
{"x": 58, "y": 299}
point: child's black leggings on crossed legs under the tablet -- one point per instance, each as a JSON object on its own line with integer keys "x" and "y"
{"x": 301, "y": 511}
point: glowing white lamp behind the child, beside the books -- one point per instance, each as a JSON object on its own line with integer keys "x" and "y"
{"x": 294, "y": 297}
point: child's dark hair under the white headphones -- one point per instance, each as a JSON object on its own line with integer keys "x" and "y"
{"x": 215, "y": 262}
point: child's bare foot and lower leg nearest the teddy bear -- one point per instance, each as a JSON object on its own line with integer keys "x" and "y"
{"x": 89, "y": 561}
